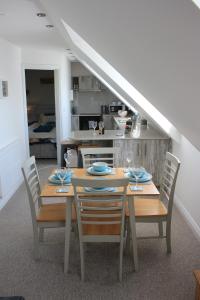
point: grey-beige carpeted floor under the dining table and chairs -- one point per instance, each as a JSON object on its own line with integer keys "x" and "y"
{"x": 160, "y": 276}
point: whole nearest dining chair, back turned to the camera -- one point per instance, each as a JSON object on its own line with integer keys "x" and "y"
{"x": 100, "y": 215}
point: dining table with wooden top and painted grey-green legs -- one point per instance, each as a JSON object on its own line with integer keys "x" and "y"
{"x": 147, "y": 189}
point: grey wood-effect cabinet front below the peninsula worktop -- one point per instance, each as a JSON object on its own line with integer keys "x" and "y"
{"x": 149, "y": 153}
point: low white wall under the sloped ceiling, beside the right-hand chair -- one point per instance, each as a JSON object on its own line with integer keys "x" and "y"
{"x": 187, "y": 194}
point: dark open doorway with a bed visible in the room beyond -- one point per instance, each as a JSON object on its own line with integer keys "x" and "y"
{"x": 41, "y": 114}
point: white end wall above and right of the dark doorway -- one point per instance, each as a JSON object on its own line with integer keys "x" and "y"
{"x": 55, "y": 60}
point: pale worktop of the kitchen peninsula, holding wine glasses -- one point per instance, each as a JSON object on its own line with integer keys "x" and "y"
{"x": 150, "y": 133}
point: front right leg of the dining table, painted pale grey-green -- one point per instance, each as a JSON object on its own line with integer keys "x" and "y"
{"x": 133, "y": 230}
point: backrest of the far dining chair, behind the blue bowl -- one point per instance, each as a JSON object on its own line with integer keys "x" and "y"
{"x": 104, "y": 154}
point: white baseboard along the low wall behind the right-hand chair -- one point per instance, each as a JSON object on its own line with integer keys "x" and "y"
{"x": 187, "y": 216}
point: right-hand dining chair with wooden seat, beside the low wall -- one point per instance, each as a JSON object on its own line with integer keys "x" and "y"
{"x": 152, "y": 210}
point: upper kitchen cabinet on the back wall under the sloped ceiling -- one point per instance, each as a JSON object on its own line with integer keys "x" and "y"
{"x": 86, "y": 83}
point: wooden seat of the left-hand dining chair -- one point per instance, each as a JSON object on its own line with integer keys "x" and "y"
{"x": 54, "y": 213}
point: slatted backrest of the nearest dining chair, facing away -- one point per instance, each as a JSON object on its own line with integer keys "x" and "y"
{"x": 100, "y": 207}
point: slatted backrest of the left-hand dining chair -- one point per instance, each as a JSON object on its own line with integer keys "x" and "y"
{"x": 32, "y": 181}
